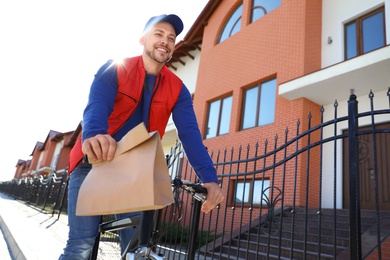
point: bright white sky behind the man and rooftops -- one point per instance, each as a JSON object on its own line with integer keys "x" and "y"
{"x": 49, "y": 53}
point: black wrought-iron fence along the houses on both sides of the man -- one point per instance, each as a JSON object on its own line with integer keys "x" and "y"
{"x": 319, "y": 193}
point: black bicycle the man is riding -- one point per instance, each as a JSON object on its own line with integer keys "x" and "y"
{"x": 147, "y": 235}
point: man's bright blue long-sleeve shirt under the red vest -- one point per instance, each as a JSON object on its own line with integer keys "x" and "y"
{"x": 101, "y": 104}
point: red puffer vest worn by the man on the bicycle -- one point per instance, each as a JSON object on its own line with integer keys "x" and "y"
{"x": 131, "y": 76}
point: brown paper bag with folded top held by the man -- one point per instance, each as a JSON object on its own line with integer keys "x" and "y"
{"x": 137, "y": 179}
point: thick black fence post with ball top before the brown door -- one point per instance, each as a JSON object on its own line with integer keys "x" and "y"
{"x": 354, "y": 183}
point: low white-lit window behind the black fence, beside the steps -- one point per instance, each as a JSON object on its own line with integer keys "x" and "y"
{"x": 251, "y": 192}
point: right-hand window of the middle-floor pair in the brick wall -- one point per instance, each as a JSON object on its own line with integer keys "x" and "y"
{"x": 259, "y": 105}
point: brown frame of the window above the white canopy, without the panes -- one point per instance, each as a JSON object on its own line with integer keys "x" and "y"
{"x": 359, "y": 33}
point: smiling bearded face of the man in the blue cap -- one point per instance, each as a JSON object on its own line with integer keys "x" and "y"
{"x": 159, "y": 42}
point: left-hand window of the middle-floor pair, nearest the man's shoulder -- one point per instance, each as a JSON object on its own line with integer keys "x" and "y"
{"x": 219, "y": 117}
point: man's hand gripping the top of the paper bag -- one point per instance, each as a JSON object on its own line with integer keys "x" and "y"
{"x": 100, "y": 148}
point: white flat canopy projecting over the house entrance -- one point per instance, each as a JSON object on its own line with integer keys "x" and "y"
{"x": 362, "y": 73}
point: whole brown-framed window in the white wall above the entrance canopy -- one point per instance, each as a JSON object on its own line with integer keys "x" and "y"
{"x": 365, "y": 34}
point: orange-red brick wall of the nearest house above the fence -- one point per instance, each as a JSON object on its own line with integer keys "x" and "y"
{"x": 275, "y": 45}
